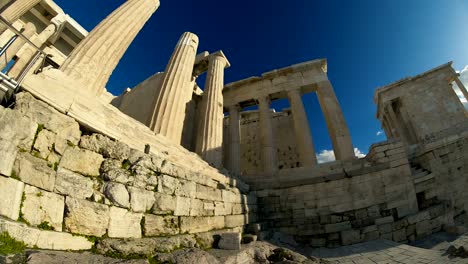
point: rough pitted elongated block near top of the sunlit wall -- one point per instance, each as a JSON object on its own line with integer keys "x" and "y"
{"x": 105, "y": 146}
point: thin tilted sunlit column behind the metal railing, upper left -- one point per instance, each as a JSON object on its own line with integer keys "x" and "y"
{"x": 28, "y": 51}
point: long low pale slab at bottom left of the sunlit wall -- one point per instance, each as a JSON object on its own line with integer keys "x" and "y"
{"x": 33, "y": 237}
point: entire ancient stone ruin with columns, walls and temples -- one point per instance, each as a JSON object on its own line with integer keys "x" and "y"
{"x": 160, "y": 167}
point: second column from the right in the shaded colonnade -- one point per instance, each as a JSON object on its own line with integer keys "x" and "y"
{"x": 305, "y": 145}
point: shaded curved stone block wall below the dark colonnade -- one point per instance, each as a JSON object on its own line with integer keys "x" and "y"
{"x": 363, "y": 200}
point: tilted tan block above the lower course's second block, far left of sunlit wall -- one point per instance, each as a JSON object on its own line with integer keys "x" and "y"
{"x": 35, "y": 171}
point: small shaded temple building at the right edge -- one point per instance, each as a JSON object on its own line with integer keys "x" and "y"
{"x": 419, "y": 108}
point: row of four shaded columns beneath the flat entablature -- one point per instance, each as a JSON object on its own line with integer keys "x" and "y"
{"x": 338, "y": 130}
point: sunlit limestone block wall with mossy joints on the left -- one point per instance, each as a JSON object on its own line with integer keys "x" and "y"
{"x": 59, "y": 182}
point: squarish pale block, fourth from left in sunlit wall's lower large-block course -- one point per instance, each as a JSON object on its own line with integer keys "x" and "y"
{"x": 124, "y": 224}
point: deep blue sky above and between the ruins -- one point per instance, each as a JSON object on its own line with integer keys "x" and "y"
{"x": 368, "y": 44}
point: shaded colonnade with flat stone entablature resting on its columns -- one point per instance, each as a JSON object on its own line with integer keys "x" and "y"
{"x": 290, "y": 82}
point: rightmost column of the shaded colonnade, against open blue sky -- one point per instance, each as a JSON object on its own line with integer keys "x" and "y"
{"x": 337, "y": 128}
